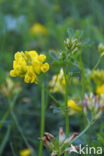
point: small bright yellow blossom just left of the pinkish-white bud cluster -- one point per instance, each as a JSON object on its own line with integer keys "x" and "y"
{"x": 73, "y": 107}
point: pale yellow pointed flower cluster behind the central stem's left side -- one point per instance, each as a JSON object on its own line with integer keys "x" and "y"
{"x": 57, "y": 84}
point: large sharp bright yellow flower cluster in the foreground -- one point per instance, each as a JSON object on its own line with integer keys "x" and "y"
{"x": 28, "y": 65}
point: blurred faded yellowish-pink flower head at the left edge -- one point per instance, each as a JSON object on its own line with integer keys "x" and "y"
{"x": 9, "y": 88}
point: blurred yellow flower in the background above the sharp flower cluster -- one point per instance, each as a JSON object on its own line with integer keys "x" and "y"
{"x": 38, "y": 29}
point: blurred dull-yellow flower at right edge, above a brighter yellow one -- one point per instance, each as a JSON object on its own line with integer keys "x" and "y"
{"x": 98, "y": 77}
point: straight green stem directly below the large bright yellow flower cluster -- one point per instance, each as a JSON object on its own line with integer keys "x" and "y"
{"x": 42, "y": 118}
